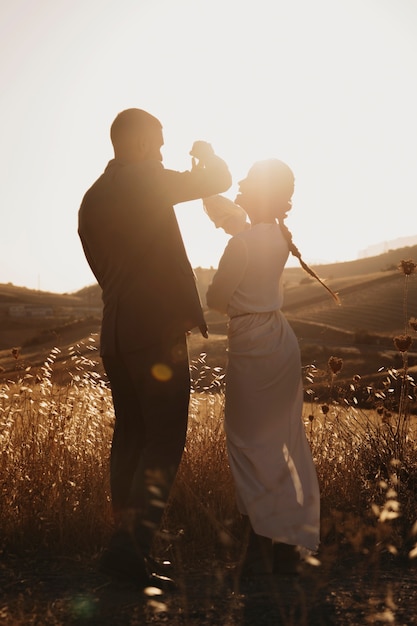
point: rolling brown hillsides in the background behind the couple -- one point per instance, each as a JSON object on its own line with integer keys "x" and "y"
{"x": 371, "y": 290}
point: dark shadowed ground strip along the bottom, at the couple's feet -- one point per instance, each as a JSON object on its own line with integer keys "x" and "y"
{"x": 70, "y": 591}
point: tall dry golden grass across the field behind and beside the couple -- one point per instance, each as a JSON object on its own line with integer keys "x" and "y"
{"x": 55, "y": 443}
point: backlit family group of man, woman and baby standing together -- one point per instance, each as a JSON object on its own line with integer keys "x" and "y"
{"x": 133, "y": 245}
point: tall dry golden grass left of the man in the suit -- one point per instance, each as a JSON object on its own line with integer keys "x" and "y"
{"x": 54, "y": 449}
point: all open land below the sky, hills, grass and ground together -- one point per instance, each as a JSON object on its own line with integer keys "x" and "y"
{"x": 55, "y": 430}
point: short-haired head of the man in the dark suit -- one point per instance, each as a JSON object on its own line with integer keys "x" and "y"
{"x": 137, "y": 136}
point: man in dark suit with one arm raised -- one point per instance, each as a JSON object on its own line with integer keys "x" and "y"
{"x": 133, "y": 245}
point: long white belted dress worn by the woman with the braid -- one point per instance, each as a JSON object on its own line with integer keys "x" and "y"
{"x": 269, "y": 455}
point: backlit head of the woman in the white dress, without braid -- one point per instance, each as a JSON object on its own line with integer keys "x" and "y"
{"x": 266, "y": 192}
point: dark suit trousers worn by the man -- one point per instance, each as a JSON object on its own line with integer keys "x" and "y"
{"x": 150, "y": 389}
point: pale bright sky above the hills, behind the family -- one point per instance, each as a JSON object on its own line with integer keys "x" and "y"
{"x": 328, "y": 86}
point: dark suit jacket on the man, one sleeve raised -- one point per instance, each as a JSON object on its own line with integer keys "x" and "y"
{"x": 133, "y": 245}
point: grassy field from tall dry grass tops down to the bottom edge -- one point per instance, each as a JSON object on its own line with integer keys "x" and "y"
{"x": 54, "y": 505}
